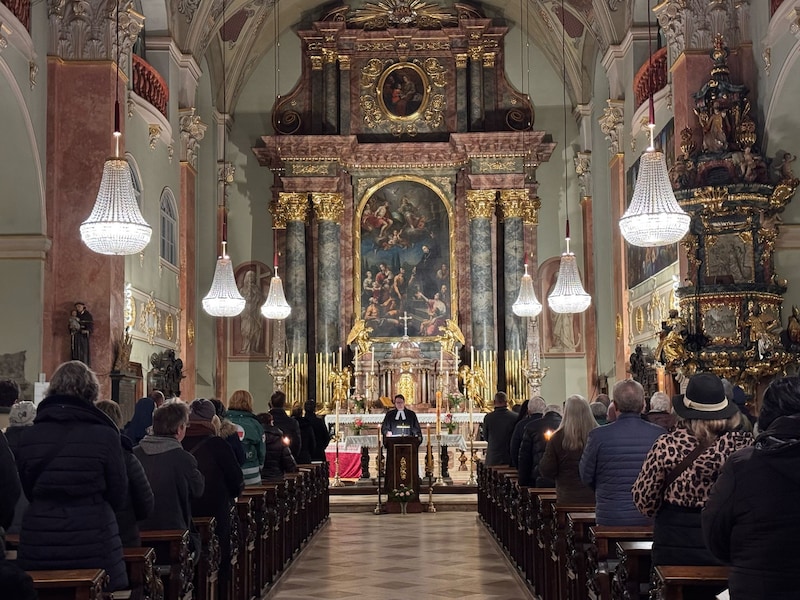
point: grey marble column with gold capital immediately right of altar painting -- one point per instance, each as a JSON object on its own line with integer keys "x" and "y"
{"x": 480, "y": 210}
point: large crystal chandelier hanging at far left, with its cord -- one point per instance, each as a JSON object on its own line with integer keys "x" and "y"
{"x": 116, "y": 225}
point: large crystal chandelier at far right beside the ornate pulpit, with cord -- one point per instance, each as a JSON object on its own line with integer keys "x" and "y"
{"x": 654, "y": 217}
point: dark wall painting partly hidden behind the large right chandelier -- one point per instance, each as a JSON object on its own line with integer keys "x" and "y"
{"x": 643, "y": 263}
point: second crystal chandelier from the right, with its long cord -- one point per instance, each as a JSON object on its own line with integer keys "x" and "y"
{"x": 568, "y": 295}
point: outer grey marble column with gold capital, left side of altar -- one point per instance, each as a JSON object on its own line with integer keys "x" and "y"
{"x": 295, "y": 209}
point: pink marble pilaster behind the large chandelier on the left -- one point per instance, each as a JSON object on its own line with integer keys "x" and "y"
{"x": 80, "y": 122}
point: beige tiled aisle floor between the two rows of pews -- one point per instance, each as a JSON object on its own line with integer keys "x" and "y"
{"x": 401, "y": 557}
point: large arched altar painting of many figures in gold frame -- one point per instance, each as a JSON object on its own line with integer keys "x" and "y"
{"x": 405, "y": 268}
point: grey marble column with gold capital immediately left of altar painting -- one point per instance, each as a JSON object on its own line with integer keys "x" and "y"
{"x": 328, "y": 208}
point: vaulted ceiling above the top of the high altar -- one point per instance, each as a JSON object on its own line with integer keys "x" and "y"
{"x": 248, "y": 30}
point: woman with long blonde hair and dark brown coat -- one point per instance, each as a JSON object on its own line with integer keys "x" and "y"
{"x": 563, "y": 454}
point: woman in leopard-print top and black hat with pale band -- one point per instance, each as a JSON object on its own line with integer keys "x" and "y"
{"x": 681, "y": 467}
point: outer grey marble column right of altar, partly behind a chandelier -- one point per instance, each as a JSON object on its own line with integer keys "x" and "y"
{"x": 514, "y": 205}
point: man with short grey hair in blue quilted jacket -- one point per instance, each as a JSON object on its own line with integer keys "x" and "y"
{"x": 613, "y": 457}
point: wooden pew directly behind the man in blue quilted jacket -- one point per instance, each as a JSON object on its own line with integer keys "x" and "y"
{"x": 602, "y": 549}
